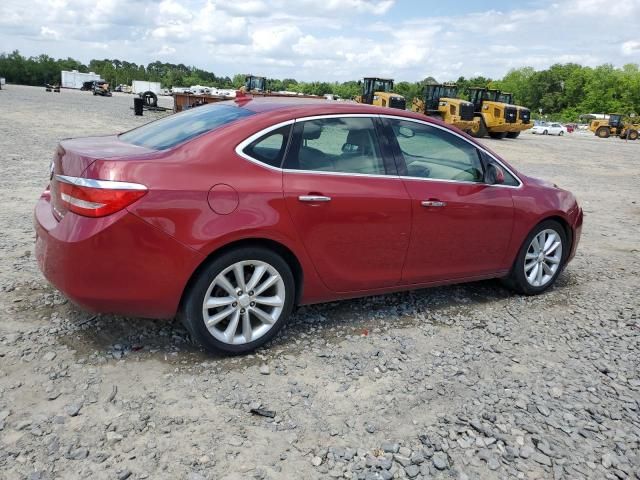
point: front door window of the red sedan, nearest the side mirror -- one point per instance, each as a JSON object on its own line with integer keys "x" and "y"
{"x": 430, "y": 152}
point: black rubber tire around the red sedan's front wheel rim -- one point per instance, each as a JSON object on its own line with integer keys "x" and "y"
{"x": 517, "y": 279}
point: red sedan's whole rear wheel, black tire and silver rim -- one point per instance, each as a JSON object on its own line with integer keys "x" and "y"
{"x": 239, "y": 301}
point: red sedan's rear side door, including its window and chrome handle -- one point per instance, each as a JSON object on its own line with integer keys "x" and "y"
{"x": 347, "y": 202}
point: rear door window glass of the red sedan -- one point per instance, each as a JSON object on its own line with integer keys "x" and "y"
{"x": 341, "y": 145}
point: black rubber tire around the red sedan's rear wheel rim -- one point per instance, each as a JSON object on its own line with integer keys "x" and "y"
{"x": 191, "y": 311}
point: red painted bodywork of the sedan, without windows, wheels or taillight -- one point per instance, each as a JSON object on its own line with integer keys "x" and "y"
{"x": 203, "y": 197}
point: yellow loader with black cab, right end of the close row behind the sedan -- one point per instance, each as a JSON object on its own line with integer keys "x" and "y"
{"x": 495, "y": 117}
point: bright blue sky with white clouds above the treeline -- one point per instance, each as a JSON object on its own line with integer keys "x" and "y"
{"x": 330, "y": 40}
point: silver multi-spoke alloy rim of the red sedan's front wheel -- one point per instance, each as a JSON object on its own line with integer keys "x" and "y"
{"x": 542, "y": 260}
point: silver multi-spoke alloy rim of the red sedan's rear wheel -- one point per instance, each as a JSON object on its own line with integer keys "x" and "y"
{"x": 243, "y": 302}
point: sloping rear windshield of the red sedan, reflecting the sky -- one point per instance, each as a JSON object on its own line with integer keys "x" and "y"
{"x": 170, "y": 131}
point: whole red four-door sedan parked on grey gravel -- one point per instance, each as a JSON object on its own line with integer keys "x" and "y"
{"x": 231, "y": 214}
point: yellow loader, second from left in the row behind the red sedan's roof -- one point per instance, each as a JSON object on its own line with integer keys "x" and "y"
{"x": 441, "y": 100}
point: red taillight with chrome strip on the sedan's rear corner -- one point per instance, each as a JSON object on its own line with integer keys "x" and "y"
{"x": 96, "y": 198}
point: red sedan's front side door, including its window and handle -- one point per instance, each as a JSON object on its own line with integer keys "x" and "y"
{"x": 461, "y": 225}
